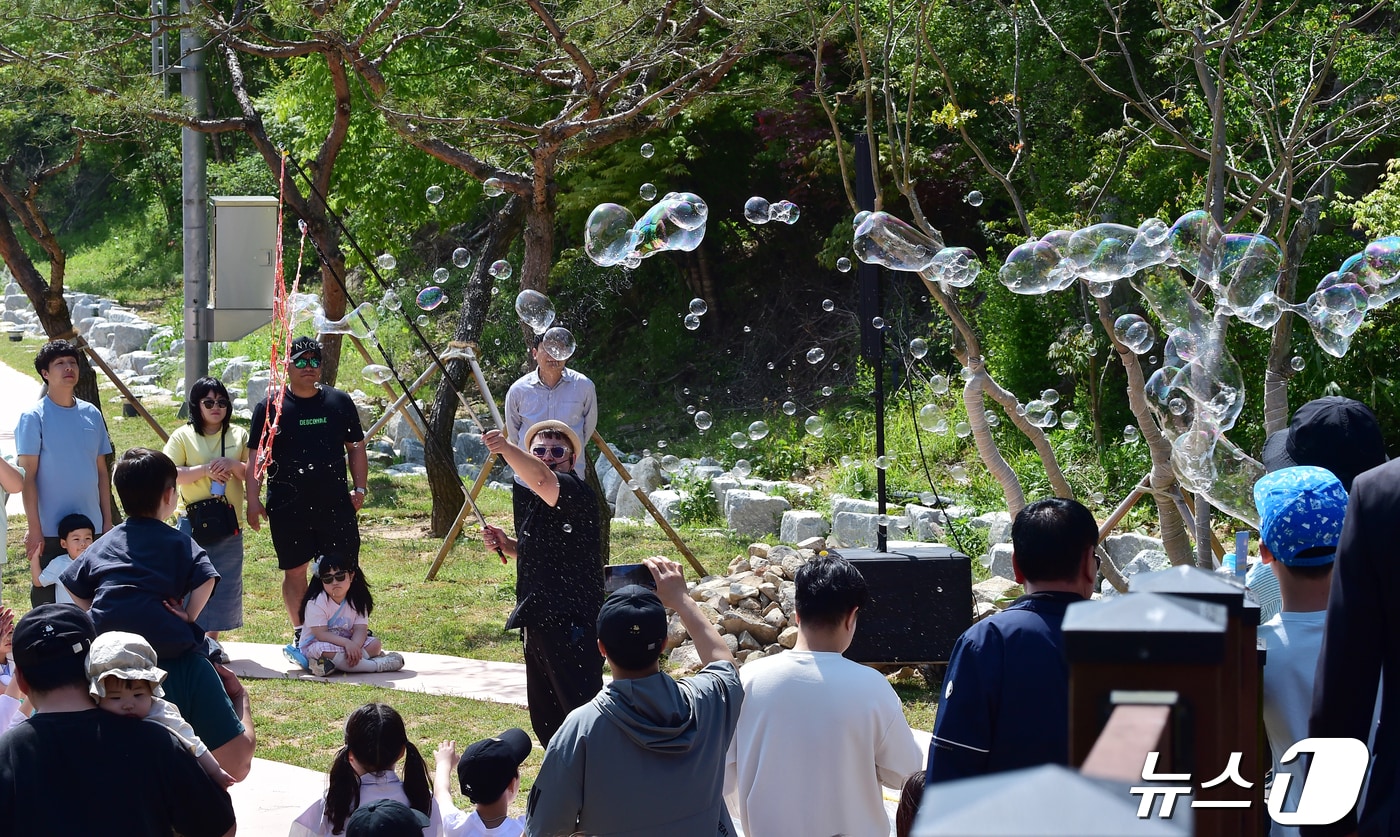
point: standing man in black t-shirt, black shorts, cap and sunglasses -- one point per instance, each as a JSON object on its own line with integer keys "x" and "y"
{"x": 310, "y": 506}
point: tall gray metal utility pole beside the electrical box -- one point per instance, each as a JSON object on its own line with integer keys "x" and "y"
{"x": 195, "y": 202}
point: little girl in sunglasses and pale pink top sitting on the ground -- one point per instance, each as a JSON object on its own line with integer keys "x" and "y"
{"x": 335, "y": 621}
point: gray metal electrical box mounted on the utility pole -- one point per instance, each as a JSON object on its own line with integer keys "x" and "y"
{"x": 241, "y": 267}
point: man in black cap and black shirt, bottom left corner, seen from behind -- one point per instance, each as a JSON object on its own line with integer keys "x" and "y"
{"x": 127, "y": 778}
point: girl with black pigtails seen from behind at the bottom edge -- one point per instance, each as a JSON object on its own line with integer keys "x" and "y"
{"x": 363, "y": 772}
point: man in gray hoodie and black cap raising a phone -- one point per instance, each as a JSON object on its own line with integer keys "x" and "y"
{"x": 646, "y": 757}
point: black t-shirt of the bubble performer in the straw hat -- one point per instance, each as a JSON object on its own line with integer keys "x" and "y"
{"x": 559, "y": 576}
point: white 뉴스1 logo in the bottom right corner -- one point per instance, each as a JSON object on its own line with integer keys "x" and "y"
{"x": 1335, "y": 778}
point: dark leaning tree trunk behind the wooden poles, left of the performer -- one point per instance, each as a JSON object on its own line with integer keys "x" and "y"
{"x": 444, "y": 482}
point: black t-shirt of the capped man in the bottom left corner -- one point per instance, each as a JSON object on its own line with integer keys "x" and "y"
{"x": 96, "y": 773}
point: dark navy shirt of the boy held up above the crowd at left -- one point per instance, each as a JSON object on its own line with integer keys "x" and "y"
{"x": 131, "y": 572}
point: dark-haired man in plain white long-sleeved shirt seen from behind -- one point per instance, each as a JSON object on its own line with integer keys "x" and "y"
{"x": 811, "y": 708}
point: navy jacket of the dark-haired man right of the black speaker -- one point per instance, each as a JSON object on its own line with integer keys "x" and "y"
{"x": 1007, "y": 694}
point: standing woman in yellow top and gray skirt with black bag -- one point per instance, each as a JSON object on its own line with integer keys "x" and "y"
{"x": 212, "y": 458}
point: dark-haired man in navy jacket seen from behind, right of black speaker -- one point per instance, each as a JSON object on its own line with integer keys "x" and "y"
{"x": 1007, "y": 692}
